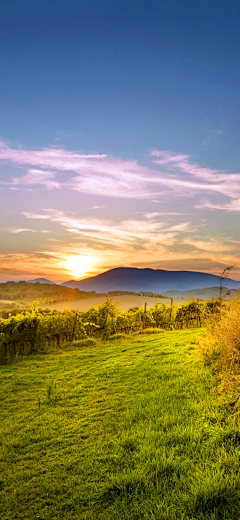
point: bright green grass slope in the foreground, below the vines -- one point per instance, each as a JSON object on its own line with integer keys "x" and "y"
{"x": 127, "y": 430}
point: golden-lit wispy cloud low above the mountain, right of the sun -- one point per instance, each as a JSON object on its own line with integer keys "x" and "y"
{"x": 150, "y": 238}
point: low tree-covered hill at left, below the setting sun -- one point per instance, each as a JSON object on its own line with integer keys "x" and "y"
{"x": 45, "y": 293}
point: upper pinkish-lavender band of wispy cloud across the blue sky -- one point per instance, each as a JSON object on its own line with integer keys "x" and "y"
{"x": 167, "y": 175}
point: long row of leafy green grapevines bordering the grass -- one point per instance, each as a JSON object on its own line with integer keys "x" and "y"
{"x": 36, "y": 331}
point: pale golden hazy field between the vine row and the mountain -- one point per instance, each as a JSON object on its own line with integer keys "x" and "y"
{"x": 125, "y": 302}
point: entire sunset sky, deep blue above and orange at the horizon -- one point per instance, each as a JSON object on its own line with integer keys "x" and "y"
{"x": 119, "y": 136}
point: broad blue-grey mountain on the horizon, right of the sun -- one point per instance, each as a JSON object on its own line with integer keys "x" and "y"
{"x": 148, "y": 280}
